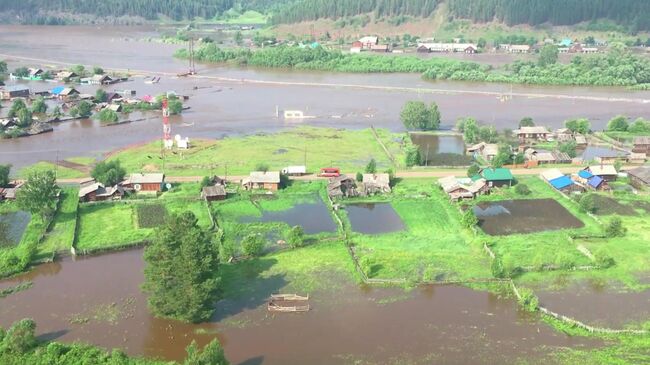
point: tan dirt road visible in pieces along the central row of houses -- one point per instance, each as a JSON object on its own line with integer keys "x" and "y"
{"x": 400, "y": 174}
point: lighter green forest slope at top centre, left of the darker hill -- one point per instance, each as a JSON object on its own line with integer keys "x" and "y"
{"x": 315, "y": 9}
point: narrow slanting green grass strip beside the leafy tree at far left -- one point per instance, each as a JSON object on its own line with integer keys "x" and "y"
{"x": 62, "y": 230}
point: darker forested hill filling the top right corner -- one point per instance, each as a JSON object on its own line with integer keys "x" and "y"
{"x": 632, "y": 13}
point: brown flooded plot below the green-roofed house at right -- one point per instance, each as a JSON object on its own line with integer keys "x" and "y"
{"x": 524, "y": 216}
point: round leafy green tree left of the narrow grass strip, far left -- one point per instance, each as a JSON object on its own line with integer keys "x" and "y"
{"x": 39, "y": 194}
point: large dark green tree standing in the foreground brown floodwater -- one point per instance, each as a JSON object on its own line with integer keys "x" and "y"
{"x": 180, "y": 275}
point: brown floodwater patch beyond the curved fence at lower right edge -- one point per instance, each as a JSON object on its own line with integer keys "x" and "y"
{"x": 598, "y": 304}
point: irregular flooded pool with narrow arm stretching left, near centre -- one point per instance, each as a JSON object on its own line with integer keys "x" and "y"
{"x": 312, "y": 217}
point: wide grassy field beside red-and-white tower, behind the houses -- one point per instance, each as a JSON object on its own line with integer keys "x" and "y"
{"x": 349, "y": 150}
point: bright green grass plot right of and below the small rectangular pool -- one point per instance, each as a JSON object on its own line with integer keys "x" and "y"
{"x": 432, "y": 246}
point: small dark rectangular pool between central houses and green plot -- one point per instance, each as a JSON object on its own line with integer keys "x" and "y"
{"x": 374, "y": 218}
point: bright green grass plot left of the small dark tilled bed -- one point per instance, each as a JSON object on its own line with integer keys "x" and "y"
{"x": 108, "y": 225}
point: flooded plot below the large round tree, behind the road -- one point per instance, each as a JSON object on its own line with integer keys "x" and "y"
{"x": 441, "y": 149}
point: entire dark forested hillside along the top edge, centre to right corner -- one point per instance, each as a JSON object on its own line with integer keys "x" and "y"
{"x": 633, "y": 14}
